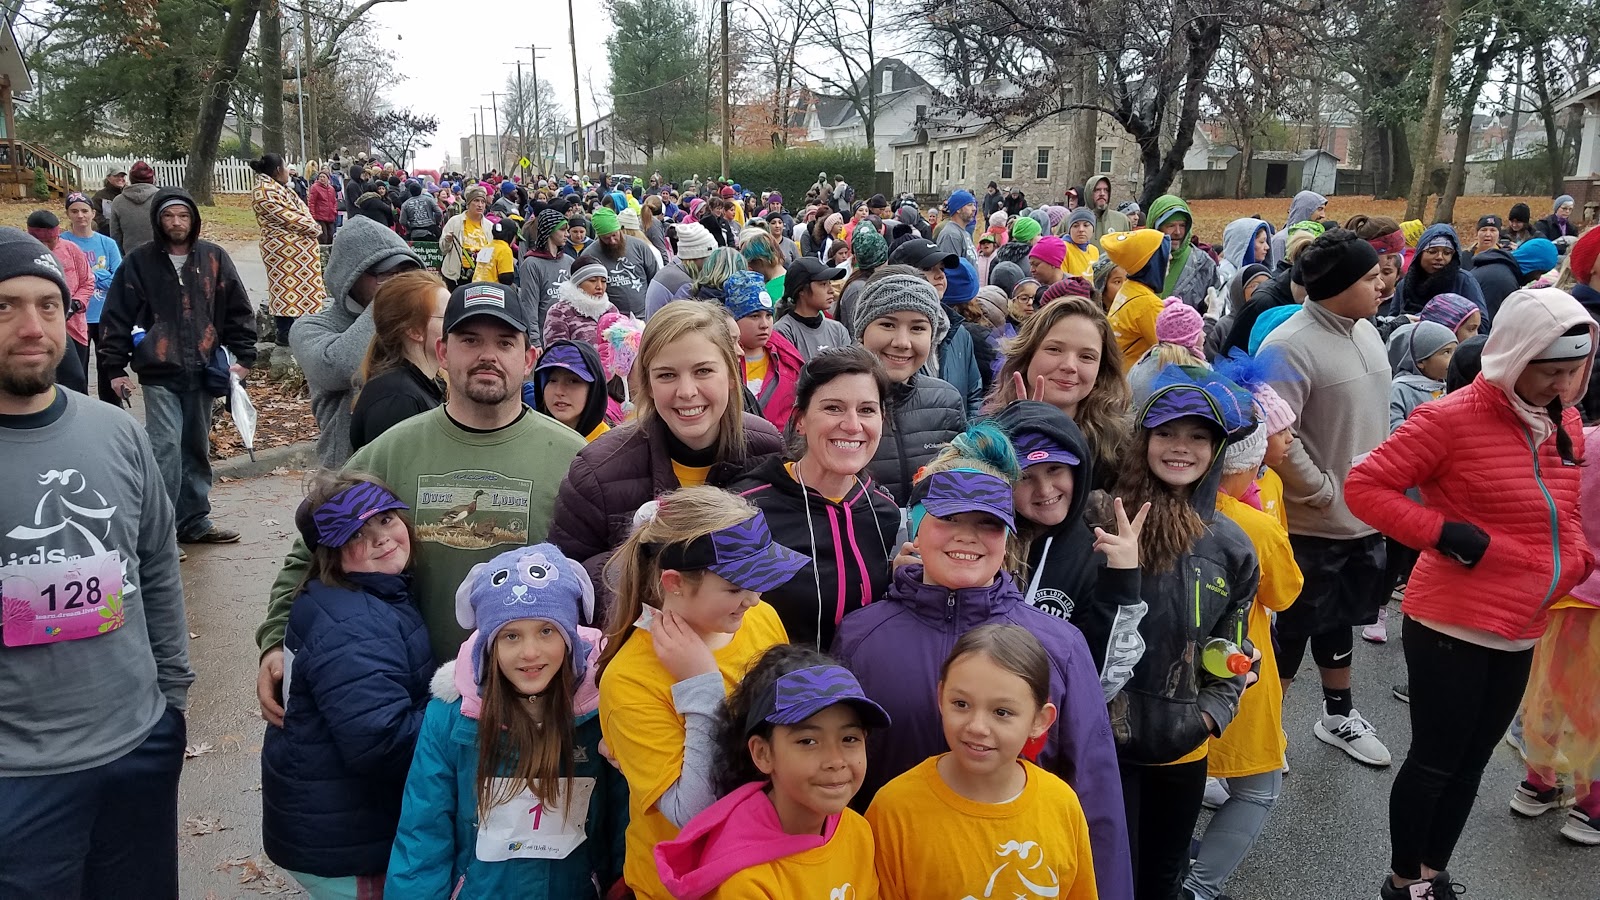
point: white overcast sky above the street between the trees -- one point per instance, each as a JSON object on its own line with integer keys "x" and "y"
{"x": 454, "y": 50}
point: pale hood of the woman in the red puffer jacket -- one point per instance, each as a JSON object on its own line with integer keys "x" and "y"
{"x": 1529, "y": 321}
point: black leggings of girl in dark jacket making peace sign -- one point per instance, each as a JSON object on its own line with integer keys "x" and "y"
{"x": 1162, "y": 805}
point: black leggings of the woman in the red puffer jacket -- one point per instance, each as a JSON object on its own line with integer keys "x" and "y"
{"x": 1463, "y": 699}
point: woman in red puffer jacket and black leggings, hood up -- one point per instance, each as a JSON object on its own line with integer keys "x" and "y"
{"x": 1497, "y": 555}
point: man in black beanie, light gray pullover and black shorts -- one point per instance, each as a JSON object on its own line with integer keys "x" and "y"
{"x": 1340, "y": 395}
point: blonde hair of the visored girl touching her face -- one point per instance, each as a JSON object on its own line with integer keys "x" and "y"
{"x": 634, "y": 571}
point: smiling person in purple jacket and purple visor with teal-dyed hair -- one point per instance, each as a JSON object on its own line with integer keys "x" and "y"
{"x": 964, "y": 529}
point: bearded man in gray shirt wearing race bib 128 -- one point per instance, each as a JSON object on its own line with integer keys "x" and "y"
{"x": 94, "y": 645}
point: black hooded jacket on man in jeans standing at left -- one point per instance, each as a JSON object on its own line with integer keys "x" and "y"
{"x": 185, "y": 313}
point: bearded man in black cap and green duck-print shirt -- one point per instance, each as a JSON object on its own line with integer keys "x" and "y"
{"x": 479, "y": 473}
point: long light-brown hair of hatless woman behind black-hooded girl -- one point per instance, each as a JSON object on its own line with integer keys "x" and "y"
{"x": 1103, "y": 414}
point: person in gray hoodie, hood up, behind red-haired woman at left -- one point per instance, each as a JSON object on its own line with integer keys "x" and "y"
{"x": 332, "y": 345}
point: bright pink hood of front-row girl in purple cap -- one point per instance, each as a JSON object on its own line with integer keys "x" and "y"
{"x": 732, "y": 835}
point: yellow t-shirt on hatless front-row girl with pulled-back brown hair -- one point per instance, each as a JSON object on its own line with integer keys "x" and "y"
{"x": 937, "y": 843}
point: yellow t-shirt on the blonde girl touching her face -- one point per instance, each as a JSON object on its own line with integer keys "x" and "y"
{"x": 646, "y": 733}
